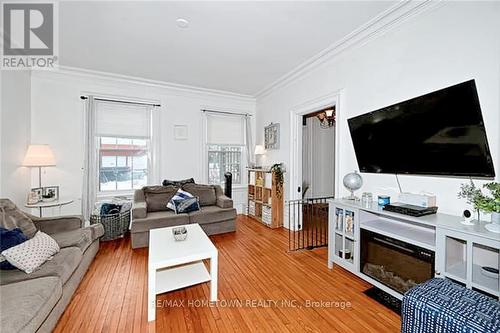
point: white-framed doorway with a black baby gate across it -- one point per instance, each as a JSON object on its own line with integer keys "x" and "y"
{"x": 313, "y": 171}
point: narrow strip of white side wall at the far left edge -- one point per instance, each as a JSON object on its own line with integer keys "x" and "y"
{"x": 14, "y": 135}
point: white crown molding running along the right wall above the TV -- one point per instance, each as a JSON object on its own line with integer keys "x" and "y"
{"x": 379, "y": 25}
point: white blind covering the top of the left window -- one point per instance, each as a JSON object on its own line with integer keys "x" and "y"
{"x": 123, "y": 120}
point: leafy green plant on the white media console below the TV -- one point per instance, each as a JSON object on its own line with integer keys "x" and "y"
{"x": 484, "y": 202}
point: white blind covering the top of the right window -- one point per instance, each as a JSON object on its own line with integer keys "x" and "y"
{"x": 225, "y": 129}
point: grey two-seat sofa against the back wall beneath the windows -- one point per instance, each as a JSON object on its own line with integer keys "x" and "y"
{"x": 149, "y": 211}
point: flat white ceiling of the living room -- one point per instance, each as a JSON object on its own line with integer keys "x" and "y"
{"x": 233, "y": 46}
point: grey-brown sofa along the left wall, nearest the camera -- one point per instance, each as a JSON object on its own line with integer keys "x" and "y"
{"x": 35, "y": 302}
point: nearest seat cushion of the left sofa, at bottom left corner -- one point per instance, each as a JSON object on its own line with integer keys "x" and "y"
{"x": 25, "y": 305}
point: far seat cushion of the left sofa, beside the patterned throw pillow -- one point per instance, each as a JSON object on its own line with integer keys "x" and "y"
{"x": 62, "y": 265}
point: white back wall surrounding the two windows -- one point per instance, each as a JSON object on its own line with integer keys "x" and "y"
{"x": 57, "y": 120}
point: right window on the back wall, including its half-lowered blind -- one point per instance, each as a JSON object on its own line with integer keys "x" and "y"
{"x": 225, "y": 147}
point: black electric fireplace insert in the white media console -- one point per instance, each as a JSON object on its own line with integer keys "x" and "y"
{"x": 396, "y": 264}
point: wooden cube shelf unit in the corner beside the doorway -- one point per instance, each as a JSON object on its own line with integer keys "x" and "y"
{"x": 264, "y": 203}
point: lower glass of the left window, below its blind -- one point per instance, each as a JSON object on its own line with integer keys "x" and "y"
{"x": 123, "y": 163}
